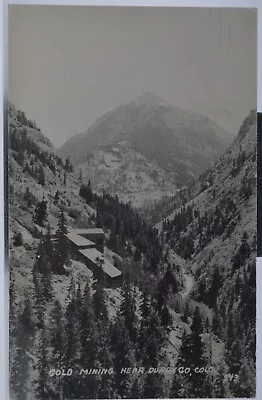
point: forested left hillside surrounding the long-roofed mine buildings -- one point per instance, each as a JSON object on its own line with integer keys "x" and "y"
{"x": 45, "y": 196}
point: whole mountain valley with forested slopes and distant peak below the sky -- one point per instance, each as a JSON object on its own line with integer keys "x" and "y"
{"x": 177, "y": 218}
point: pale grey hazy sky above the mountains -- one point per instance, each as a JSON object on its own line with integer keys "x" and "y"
{"x": 68, "y": 65}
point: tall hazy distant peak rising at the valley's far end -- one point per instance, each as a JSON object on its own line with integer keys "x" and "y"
{"x": 180, "y": 144}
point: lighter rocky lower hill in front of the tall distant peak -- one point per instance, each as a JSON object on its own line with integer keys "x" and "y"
{"x": 127, "y": 173}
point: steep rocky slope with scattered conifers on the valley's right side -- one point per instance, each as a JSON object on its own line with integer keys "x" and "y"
{"x": 213, "y": 229}
